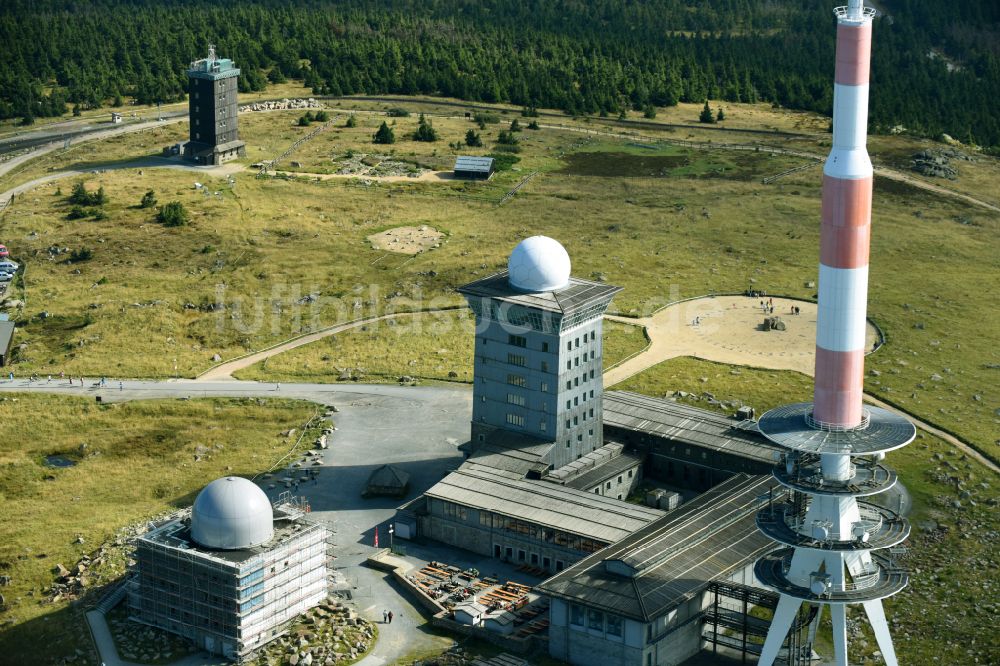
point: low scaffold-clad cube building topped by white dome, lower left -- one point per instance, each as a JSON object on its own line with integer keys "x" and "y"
{"x": 230, "y": 576}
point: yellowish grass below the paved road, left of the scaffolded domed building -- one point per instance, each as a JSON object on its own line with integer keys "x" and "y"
{"x": 46, "y": 509}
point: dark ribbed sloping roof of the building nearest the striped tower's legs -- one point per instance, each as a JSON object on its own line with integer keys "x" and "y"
{"x": 673, "y": 558}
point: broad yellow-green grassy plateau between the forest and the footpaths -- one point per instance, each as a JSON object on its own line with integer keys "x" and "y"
{"x": 652, "y": 216}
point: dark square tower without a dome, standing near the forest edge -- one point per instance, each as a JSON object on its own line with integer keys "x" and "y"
{"x": 213, "y": 110}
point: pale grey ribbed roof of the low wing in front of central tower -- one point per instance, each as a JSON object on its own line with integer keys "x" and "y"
{"x": 543, "y": 503}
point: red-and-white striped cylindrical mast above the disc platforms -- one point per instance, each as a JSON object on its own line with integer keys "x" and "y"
{"x": 845, "y": 231}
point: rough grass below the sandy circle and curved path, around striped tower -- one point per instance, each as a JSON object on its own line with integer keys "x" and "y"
{"x": 952, "y": 550}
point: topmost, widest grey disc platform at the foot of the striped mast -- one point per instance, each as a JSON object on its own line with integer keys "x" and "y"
{"x": 789, "y": 426}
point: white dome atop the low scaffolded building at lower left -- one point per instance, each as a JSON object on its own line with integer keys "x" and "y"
{"x": 232, "y": 513}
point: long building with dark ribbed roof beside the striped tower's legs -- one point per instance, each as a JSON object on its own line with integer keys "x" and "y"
{"x": 641, "y": 601}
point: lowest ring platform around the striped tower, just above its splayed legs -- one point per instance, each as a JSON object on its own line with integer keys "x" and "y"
{"x": 883, "y": 580}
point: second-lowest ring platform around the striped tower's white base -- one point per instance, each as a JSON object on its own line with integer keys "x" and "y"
{"x": 878, "y": 528}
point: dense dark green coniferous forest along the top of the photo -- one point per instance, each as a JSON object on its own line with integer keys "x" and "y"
{"x": 936, "y": 64}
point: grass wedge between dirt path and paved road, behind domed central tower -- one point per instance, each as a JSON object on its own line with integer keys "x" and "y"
{"x": 435, "y": 346}
